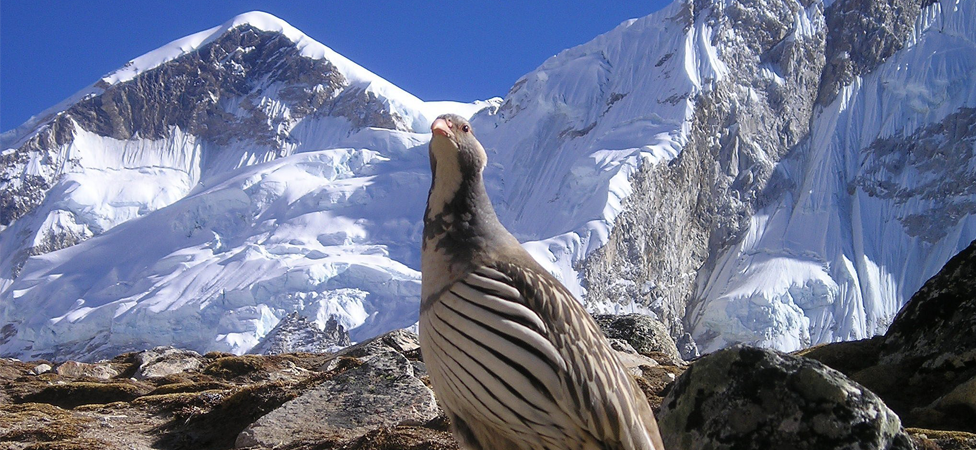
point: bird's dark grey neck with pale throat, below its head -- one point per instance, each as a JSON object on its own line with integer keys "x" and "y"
{"x": 459, "y": 224}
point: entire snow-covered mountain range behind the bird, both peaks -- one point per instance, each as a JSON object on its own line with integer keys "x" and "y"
{"x": 775, "y": 172}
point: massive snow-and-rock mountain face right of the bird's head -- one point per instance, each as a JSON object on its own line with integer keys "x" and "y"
{"x": 742, "y": 219}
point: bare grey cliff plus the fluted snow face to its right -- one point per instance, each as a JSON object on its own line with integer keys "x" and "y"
{"x": 773, "y": 225}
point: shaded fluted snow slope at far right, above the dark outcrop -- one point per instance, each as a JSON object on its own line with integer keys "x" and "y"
{"x": 884, "y": 199}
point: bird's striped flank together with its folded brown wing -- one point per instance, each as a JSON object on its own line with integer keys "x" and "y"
{"x": 523, "y": 339}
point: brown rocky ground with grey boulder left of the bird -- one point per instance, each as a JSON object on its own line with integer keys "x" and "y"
{"x": 369, "y": 396}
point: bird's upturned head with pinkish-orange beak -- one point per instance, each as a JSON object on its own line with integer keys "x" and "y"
{"x": 454, "y": 147}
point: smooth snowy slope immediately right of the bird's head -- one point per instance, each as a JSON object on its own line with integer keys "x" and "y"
{"x": 570, "y": 134}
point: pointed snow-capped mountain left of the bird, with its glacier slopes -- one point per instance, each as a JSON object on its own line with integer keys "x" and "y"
{"x": 204, "y": 242}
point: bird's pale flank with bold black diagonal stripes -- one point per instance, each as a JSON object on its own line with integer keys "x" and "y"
{"x": 503, "y": 368}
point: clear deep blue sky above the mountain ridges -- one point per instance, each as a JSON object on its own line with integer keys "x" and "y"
{"x": 436, "y": 50}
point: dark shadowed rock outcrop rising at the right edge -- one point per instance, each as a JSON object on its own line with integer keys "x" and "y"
{"x": 924, "y": 367}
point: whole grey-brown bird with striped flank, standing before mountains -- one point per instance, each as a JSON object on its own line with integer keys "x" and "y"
{"x": 514, "y": 359}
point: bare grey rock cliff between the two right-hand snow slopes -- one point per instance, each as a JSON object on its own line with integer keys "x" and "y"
{"x": 682, "y": 214}
